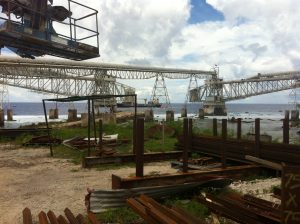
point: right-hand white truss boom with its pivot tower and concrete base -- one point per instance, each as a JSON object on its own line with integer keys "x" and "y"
{"x": 215, "y": 92}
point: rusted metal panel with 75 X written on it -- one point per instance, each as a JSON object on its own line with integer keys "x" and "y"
{"x": 290, "y": 195}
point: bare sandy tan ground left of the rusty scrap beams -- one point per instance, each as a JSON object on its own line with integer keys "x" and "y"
{"x": 30, "y": 178}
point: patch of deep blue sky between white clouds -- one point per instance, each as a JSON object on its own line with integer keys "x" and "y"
{"x": 202, "y": 12}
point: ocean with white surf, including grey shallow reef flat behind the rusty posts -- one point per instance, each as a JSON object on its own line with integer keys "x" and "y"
{"x": 270, "y": 115}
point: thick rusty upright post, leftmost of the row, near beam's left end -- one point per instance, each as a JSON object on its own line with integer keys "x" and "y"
{"x": 139, "y": 154}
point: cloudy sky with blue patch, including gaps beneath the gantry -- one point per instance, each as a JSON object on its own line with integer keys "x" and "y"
{"x": 242, "y": 37}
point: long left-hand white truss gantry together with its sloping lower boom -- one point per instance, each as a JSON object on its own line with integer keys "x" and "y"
{"x": 72, "y": 78}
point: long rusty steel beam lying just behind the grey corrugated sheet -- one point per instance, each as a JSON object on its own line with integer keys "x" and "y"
{"x": 236, "y": 172}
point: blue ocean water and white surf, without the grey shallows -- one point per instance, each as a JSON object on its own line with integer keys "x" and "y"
{"x": 33, "y": 112}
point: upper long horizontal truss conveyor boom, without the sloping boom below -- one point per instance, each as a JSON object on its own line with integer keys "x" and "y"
{"x": 59, "y": 68}
